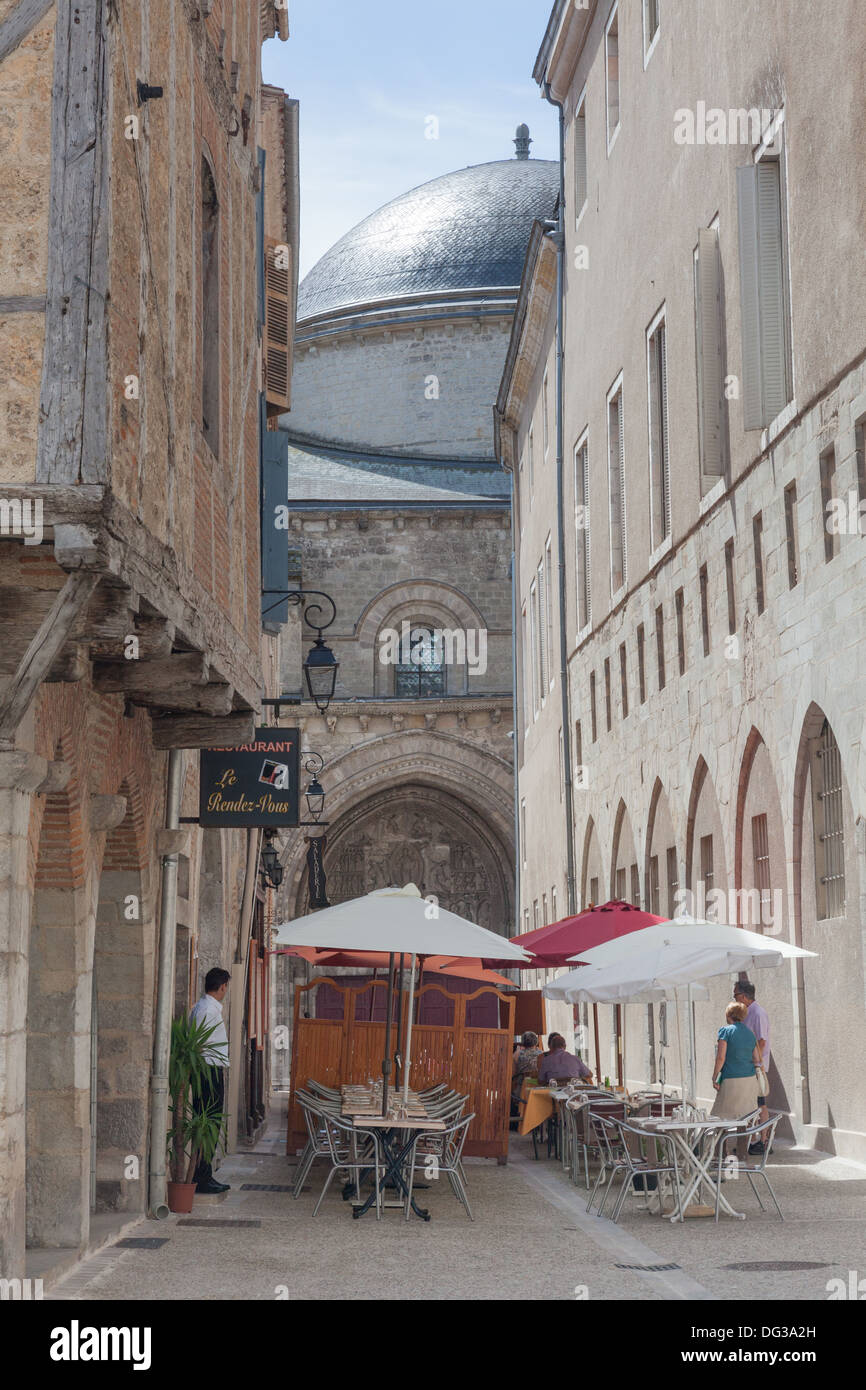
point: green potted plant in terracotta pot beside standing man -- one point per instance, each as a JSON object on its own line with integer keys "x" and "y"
{"x": 197, "y": 1118}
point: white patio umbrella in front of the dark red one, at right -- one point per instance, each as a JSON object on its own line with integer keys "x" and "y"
{"x": 669, "y": 956}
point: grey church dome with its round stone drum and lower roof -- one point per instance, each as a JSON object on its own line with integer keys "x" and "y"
{"x": 402, "y": 334}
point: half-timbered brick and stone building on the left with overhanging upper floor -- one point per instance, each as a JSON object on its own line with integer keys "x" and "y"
{"x": 131, "y": 319}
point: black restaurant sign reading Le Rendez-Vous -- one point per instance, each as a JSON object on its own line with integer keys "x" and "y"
{"x": 254, "y": 785}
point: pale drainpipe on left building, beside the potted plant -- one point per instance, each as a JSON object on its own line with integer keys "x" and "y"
{"x": 165, "y": 999}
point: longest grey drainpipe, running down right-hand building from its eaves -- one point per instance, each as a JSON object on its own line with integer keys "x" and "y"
{"x": 559, "y": 240}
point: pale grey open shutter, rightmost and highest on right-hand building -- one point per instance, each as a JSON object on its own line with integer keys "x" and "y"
{"x": 762, "y": 298}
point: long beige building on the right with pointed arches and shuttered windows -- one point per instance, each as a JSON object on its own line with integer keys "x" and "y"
{"x": 712, "y": 466}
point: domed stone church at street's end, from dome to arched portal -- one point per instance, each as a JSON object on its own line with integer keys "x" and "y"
{"x": 400, "y": 511}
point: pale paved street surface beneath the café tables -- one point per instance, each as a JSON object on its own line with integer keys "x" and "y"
{"x": 532, "y": 1239}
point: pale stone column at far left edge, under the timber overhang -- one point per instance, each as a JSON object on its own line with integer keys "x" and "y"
{"x": 22, "y": 774}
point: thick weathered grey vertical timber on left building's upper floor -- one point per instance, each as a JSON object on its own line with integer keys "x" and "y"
{"x": 73, "y": 443}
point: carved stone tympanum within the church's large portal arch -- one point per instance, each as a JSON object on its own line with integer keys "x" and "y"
{"x": 423, "y": 835}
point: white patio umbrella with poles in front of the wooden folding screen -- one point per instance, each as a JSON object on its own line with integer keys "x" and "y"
{"x": 402, "y": 922}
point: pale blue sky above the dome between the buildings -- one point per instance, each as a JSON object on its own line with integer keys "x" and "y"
{"x": 369, "y": 73}
